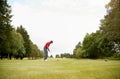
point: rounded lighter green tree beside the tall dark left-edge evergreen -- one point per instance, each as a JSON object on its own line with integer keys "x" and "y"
{"x": 14, "y": 47}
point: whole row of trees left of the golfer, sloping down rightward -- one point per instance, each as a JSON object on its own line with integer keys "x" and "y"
{"x": 14, "y": 42}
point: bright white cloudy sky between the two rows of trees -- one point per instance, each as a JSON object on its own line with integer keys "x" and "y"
{"x": 66, "y": 22}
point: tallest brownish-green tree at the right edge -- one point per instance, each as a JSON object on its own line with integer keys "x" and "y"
{"x": 110, "y": 26}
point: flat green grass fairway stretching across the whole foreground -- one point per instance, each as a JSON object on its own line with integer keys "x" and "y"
{"x": 59, "y": 69}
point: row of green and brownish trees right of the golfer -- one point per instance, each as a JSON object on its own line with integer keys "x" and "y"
{"x": 105, "y": 42}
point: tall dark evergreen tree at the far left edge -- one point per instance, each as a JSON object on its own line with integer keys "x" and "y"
{"x": 5, "y": 27}
